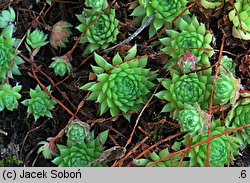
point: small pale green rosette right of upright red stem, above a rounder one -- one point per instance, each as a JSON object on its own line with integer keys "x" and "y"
{"x": 227, "y": 65}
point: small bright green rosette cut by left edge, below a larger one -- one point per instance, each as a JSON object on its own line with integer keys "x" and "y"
{"x": 9, "y": 96}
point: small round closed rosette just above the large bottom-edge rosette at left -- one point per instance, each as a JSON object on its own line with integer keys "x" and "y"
{"x": 78, "y": 131}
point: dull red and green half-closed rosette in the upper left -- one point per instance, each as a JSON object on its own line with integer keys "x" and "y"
{"x": 60, "y": 34}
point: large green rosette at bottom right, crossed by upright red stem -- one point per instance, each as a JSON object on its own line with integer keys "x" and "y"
{"x": 222, "y": 149}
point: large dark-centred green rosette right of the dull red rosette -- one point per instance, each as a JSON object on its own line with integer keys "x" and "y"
{"x": 102, "y": 33}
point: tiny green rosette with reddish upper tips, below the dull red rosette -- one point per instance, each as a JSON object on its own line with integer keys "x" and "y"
{"x": 61, "y": 65}
